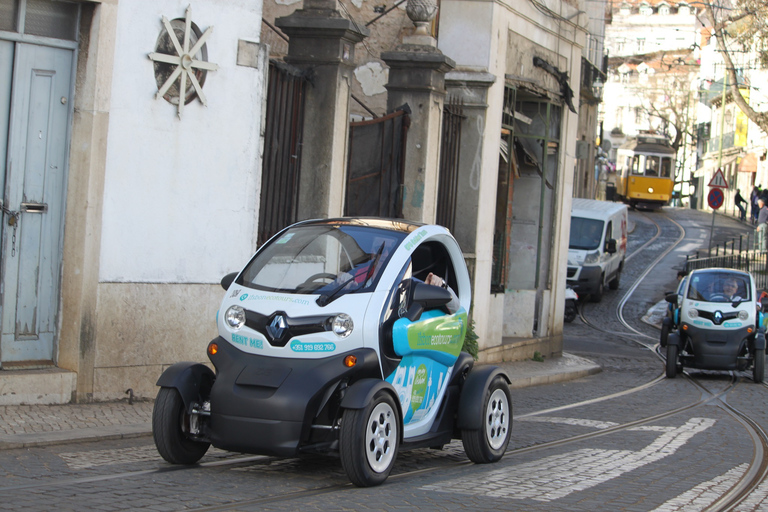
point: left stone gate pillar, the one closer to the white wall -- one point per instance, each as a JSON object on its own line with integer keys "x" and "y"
{"x": 323, "y": 43}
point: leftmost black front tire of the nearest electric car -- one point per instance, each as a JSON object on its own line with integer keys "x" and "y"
{"x": 168, "y": 418}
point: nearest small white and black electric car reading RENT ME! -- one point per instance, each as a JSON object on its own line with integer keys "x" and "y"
{"x": 331, "y": 342}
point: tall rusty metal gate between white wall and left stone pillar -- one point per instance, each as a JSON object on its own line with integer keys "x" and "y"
{"x": 281, "y": 163}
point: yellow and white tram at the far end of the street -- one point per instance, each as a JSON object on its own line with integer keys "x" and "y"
{"x": 645, "y": 169}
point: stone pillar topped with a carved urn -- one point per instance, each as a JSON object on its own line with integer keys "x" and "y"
{"x": 417, "y": 77}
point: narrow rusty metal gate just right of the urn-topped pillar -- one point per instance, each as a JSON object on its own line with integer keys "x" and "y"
{"x": 450, "y": 151}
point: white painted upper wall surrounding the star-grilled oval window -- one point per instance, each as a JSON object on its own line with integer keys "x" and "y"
{"x": 181, "y": 195}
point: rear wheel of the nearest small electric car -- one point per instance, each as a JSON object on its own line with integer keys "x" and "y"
{"x": 489, "y": 443}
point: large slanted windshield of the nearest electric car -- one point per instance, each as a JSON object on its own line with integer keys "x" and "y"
{"x": 322, "y": 259}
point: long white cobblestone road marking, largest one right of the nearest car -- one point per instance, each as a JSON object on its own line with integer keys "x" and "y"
{"x": 558, "y": 476}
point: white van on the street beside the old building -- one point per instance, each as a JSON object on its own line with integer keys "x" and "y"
{"x": 597, "y": 246}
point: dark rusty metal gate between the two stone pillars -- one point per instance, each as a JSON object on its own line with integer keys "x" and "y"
{"x": 376, "y": 165}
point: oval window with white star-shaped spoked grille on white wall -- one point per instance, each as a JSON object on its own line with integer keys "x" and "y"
{"x": 181, "y": 61}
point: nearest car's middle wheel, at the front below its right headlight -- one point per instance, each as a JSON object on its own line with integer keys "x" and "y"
{"x": 369, "y": 440}
